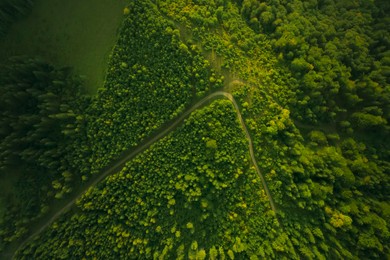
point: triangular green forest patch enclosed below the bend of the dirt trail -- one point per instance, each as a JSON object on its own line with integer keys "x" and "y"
{"x": 192, "y": 195}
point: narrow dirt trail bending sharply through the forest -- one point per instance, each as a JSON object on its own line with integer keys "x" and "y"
{"x": 120, "y": 163}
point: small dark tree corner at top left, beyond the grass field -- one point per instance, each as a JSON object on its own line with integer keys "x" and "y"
{"x": 11, "y": 10}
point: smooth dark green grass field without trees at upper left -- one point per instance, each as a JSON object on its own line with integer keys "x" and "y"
{"x": 72, "y": 33}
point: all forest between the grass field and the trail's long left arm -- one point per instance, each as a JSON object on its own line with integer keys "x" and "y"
{"x": 56, "y": 137}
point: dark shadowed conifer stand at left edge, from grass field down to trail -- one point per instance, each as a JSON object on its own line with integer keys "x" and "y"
{"x": 41, "y": 128}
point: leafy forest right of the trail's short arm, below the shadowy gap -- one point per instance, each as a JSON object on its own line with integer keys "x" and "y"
{"x": 336, "y": 187}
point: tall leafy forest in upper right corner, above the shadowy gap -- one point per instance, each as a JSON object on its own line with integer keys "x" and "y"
{"x": 336, "y": 49}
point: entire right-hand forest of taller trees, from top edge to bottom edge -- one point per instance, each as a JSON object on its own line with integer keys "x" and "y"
{"x": 330, "y": 169}
